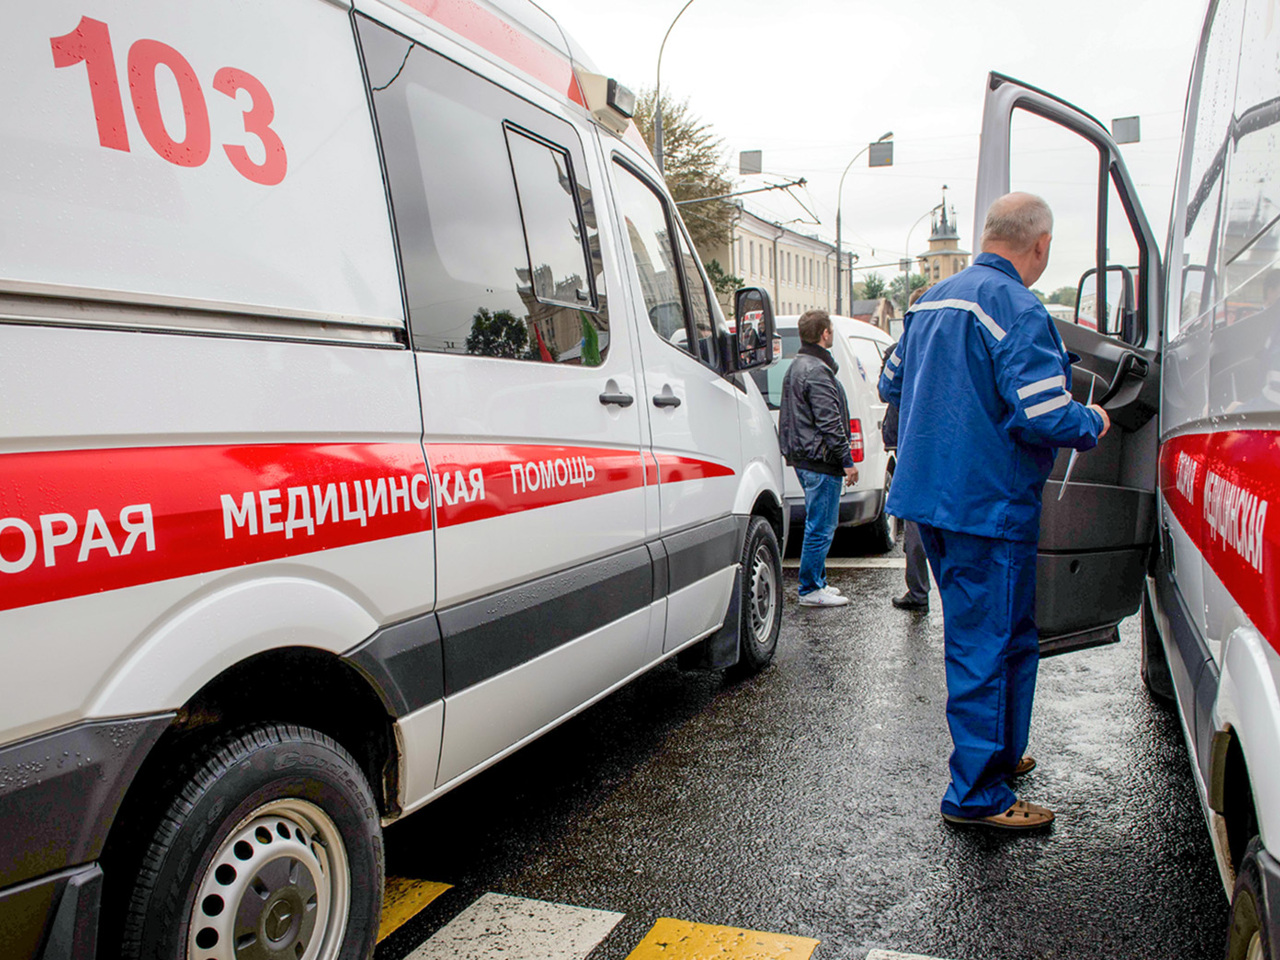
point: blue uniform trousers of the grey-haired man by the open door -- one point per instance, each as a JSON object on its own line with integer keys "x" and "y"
{"x": 993, "y": 653}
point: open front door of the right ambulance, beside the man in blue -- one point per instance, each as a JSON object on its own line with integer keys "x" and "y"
{"x": 1096, "y": 533}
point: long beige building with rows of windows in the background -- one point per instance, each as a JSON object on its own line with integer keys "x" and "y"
{"x": 798, "y": 271}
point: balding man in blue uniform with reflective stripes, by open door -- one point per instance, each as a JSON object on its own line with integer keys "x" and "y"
{"x": 984, "y": 385}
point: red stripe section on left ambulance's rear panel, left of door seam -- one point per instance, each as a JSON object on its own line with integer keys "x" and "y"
{"x": 76, "y": 523}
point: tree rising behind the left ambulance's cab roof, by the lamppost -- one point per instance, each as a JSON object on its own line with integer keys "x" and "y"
{"x": 694, "y": 167}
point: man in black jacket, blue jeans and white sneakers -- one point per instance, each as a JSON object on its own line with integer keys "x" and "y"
{"x": 813, "y": 429}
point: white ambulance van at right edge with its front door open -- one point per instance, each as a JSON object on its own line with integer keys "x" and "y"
{"x": 1171, "y": 514}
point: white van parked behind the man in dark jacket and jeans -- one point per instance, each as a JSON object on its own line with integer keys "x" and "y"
{"x": 858, "y": 349}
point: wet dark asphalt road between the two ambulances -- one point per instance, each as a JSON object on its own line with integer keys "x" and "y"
{"x": 806, "y": 802}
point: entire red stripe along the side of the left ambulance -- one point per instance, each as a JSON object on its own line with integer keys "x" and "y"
{"x": 76, "y": 523}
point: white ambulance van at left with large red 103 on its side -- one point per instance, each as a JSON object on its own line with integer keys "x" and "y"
{"x": 346, "y": 446}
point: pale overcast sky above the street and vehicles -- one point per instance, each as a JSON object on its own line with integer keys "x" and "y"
{"x": 811, "y": 83}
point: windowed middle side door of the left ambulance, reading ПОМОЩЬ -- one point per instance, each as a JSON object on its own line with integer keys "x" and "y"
{"x": 529, "y": 392}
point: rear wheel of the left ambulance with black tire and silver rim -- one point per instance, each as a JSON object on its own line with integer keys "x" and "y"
{"x": 273, "y": 833}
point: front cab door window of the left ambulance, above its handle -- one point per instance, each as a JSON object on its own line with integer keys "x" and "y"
{"x": 653, "y": 257}
